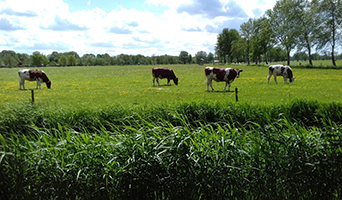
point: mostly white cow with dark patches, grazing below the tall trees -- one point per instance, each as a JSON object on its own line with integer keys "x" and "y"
{"x": 280, "y": 70}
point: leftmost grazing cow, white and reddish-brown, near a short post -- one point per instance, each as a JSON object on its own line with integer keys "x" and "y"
{"x": 33, "y": 75}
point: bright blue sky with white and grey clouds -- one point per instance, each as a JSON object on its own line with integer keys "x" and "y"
{"x": 146, "y": 27}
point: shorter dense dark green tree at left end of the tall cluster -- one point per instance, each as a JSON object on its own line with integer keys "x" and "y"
{"x": 225, "y": 41}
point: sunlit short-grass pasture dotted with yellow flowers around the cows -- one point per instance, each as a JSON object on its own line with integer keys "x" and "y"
{"x": 127, "y": 85}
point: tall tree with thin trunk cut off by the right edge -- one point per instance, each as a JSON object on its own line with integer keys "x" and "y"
{"x": 330, "y": 20}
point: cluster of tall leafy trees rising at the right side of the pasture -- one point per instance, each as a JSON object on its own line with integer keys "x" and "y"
{"x": 302, "y": 25}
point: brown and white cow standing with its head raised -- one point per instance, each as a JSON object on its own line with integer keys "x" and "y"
{"x": 221, "y": 74}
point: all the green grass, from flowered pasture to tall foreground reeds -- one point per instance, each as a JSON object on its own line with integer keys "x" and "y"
{"x": 106, "y": 132}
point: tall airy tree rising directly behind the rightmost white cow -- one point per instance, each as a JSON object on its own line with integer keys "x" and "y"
{"x": 283, "y": 24}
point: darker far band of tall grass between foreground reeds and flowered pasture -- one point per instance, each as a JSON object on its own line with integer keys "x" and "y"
{"x": 22, "y": 118}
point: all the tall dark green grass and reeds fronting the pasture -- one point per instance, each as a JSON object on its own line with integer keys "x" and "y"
{"x": 193, "y": 150}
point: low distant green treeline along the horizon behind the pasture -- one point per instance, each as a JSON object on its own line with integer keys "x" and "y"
{"x": 9, "y": 58}
